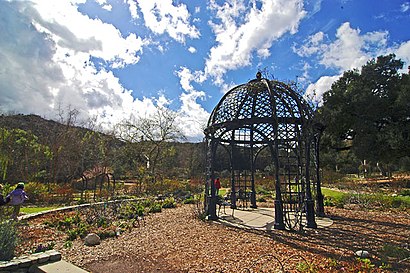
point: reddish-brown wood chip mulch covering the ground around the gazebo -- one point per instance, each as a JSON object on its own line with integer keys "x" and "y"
{"x": 175, "y": 240}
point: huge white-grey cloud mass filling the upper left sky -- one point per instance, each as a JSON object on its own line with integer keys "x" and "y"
{"x": 45, "y": 55}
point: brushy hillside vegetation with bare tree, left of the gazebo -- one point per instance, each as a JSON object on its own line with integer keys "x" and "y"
{"x": 61, "y": 162}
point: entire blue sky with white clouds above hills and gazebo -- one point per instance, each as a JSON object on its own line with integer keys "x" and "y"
{"x": 112, "y": 60}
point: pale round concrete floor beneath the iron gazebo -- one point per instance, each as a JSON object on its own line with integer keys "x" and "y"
{"x": 260, "y": 218}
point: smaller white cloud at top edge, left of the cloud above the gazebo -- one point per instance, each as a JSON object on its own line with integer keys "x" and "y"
{"x": 161, "y": 16}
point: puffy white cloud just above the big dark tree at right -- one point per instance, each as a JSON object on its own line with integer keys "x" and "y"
{"x": 349, "y": 50}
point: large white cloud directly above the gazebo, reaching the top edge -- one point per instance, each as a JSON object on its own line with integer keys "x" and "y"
{"x": 241, "y": 31}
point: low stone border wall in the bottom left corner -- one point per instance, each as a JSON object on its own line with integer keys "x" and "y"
{"x": 23, "y": 264}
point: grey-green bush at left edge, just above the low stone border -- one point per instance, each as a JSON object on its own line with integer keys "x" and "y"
{"x": 8, "y": 240}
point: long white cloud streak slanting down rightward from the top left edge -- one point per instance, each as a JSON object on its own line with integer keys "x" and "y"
{"x": 74, "y": 31}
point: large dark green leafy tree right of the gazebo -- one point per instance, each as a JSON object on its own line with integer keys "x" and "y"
{"x": 368, "y": 111}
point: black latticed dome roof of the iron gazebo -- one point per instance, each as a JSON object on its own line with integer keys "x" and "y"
{"x": 257, "y": 111}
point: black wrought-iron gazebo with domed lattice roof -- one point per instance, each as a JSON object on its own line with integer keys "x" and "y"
{"x": 266, "y": 119}
